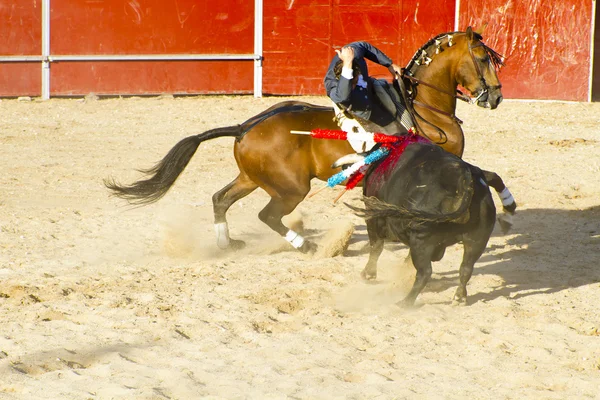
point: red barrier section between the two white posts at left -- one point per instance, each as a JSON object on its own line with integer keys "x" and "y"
{"x": 112, "y": 27}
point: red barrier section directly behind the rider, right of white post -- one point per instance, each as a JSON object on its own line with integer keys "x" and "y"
{"x": 300, "y": 36}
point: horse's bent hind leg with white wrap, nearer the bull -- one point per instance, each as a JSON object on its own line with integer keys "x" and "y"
{"x": 273, "y": 213}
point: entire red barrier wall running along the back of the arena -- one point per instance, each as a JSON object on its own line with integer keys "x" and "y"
{"x": 546, "y": 43}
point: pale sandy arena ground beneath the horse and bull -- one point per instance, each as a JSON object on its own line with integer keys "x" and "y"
{"x": 102, "y": 301}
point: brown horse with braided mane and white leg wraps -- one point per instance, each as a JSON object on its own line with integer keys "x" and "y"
{"x": 270, "y": 157}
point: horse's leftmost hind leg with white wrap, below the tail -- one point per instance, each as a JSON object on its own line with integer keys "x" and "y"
{"x": 240, "y": 187}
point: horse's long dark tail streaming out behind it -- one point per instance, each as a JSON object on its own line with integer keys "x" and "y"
{"x": 164, "y": 174}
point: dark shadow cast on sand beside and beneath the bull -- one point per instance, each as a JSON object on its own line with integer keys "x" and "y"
{"x": 546, "y": 251}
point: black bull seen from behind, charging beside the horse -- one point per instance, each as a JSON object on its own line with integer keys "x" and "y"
{"x": 429, "y": 200}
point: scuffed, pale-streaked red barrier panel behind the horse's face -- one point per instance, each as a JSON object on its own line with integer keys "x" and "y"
{"x": 546, "y": 45}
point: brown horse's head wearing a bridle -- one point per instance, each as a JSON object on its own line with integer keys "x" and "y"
{"x": 476, "y": 71}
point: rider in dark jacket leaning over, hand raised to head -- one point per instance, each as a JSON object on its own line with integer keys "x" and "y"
{"x": 356, "y": 95}
